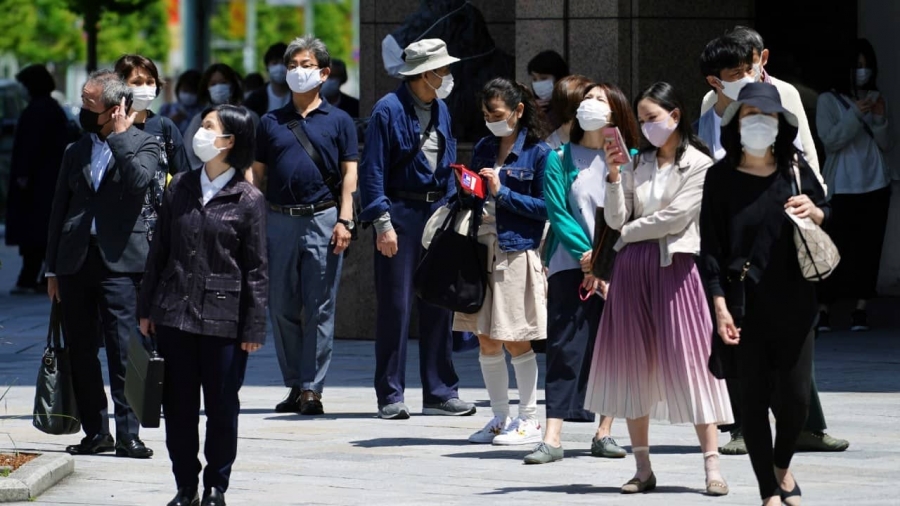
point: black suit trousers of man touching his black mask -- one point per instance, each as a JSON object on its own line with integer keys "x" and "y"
{"x": 99, "y": 305}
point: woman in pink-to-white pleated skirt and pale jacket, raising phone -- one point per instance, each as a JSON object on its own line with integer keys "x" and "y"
{"x": 652, "y": 348}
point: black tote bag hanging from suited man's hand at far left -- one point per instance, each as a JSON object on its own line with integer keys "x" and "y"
{"x": 55, "y": 408}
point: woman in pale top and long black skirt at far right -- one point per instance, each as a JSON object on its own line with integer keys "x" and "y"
{"x": 852, "y": 123}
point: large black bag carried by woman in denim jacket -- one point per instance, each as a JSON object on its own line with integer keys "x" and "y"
{"x": 453, "y": 271}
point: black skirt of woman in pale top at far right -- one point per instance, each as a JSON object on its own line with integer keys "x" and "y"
{"x": 857, "y": 226}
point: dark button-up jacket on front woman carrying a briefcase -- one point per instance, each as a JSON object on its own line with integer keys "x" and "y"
{"x": 207, "y": 272}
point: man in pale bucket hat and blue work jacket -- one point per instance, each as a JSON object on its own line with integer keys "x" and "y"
{"x": 404, "y": 177}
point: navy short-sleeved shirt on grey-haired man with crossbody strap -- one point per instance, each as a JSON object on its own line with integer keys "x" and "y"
{"x": 293, "y": 178}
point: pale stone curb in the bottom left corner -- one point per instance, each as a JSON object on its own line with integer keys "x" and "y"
{"x": 35, "y": 477}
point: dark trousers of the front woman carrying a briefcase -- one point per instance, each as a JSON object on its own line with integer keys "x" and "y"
{"x": 215, "y": 365}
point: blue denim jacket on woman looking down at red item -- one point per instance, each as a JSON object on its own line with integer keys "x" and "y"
{"x": 521, "y": 210}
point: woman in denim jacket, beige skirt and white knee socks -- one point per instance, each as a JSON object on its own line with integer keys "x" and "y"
{"x": 514, "y": 313}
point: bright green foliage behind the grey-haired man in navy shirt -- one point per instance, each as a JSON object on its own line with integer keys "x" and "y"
{"x": 333, "y": 24}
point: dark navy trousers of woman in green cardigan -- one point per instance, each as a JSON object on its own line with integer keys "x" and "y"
{"x": 571, "y": 332}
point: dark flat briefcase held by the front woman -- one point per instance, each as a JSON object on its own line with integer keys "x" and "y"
{"x": 144, "y": 379}
